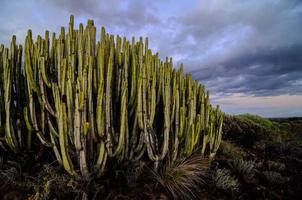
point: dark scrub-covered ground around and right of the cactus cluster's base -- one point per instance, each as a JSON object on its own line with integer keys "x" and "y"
{"x": 258, "y": 159}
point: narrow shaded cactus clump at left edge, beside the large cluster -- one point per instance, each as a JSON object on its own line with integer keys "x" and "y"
{"x": 12, "y": 97}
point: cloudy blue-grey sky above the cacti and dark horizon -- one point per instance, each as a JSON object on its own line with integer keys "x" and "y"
{"x": 247, "y": 53}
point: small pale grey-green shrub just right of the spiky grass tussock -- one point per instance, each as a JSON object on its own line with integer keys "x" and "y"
{"x": 223, "y": 180}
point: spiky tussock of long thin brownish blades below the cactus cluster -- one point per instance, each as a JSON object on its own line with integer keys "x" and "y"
{"x": 183, "y": 178}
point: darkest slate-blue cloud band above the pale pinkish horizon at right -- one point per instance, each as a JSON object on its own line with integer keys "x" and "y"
{"x": 264, "y": 72}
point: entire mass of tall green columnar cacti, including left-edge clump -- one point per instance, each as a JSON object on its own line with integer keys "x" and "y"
{"x": 91, "y": 101}
